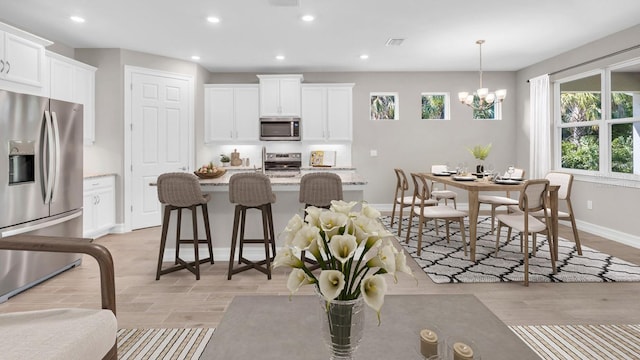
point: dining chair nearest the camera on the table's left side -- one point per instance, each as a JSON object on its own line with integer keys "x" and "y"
{"x": 423, "y": 206}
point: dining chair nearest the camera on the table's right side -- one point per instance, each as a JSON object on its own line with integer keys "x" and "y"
{"x": 533, "y": 198}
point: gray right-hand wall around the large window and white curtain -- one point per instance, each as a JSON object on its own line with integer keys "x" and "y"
{"x": 614, "y": 206}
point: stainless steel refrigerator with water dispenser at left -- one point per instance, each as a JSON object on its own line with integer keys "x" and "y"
{"x": 40, "y": 184}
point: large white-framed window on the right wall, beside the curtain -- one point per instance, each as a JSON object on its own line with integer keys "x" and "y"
{"x": 598, "y": 122}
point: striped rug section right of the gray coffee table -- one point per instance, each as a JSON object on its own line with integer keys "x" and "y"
{"x": 597, "y": 342}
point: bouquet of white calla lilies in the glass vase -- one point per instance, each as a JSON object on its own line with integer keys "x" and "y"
{"x": 352, "y": 249}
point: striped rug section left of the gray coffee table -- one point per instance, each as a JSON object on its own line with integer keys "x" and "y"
{"x": 162, "y": 344}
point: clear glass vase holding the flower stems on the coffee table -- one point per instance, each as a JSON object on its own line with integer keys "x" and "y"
{"x": 342, "y": 324}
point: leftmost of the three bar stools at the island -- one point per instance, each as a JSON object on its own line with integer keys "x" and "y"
{"x": 179, "y": 191}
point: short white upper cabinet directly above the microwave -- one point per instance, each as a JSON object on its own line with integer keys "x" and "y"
{"x": 280, "y": 95}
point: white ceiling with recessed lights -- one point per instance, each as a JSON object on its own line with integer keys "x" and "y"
{"x": 440, "y": 35}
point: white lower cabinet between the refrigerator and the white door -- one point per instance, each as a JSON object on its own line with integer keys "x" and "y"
{"x": 99, "y": 206}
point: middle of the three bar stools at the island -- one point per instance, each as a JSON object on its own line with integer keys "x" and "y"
{"x": 252, "y": 191}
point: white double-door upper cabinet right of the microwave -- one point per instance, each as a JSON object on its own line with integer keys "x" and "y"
{"x": 327, "y": 112}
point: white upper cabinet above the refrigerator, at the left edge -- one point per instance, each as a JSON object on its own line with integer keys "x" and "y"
{"x": 22, "y": 60}
